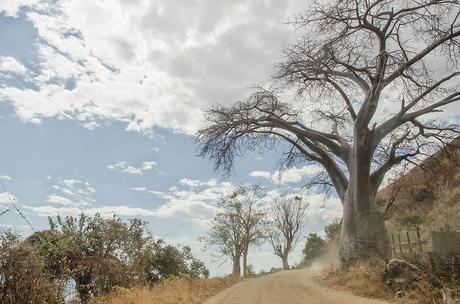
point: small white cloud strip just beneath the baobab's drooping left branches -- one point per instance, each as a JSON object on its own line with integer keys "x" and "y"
{"x": 291, "y": 175}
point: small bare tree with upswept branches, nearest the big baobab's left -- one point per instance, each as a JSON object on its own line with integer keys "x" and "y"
{"x": 290, "y": 218}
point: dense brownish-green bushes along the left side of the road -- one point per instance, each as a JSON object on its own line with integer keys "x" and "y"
{"x": 85, "y": 257}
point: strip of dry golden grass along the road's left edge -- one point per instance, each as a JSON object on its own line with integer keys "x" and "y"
{"x": 173, "y": 291}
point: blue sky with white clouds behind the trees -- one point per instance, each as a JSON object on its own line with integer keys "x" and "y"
{"x": 99, "y": 101}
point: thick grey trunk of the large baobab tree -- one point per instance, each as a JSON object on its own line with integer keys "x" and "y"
{"x": 363, "y": 235}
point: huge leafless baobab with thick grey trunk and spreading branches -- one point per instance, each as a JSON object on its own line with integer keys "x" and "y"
{"x": 369, "y": 78}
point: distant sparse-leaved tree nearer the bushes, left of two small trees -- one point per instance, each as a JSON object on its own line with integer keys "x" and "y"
{"x": 238, "y": 225}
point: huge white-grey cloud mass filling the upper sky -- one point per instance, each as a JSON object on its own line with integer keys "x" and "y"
{"x": 148, "y": 63}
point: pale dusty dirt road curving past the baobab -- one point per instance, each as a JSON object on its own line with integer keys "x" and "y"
{"x": 286, "y": 287}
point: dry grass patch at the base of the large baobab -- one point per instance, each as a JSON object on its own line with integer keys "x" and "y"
{"x": 362, "y": 280}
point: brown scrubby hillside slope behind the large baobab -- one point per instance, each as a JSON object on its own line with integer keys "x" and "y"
{"x": 430, "y": 190}
